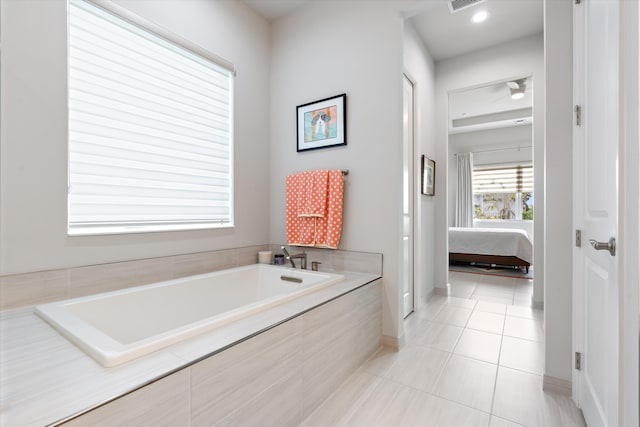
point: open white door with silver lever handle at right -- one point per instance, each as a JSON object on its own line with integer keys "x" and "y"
{"x": 596, "y": 208}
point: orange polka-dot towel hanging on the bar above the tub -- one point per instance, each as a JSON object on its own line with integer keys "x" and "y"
{"x": 322, "y": 230}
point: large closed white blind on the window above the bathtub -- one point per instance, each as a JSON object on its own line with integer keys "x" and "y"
{"x": 150, "y": 130}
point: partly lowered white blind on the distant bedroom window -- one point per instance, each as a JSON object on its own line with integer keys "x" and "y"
{"x": 515, "y": 179}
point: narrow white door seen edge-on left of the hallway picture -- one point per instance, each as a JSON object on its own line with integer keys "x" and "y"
{"x": 407, "y": 204}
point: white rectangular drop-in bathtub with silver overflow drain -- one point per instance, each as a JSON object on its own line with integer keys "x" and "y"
{"x": 115, "y": 327}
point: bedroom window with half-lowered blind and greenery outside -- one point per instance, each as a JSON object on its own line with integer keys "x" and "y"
{"x": 503, "y": 193}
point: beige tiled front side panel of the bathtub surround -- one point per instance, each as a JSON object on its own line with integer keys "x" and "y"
{"x": 265, "y": 380}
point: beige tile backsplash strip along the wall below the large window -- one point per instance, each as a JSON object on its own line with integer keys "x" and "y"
{"x": 20, "y": 290}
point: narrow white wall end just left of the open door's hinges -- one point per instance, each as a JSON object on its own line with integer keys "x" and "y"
{"x": 558, "y": 182}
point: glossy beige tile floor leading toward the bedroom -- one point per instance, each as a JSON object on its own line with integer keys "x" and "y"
{"x": 472, "y": 359}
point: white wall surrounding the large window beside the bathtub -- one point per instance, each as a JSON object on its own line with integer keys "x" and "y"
{"x": 34, "y": 139}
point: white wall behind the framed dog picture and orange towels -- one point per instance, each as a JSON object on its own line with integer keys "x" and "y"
{"x": 324, "y": 49}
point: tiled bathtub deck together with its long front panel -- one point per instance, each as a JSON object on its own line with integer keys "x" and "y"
{"x": 45, "y": 379}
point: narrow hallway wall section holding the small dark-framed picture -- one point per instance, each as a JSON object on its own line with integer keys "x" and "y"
{"x": 419, "y": 67}
